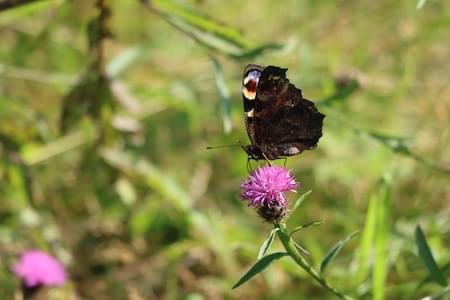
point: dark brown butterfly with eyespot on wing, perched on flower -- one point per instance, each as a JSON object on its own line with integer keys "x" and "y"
{"x": 279, "y": 121}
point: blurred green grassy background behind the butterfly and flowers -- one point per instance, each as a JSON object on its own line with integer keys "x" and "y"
{"x": 106, "y": 108}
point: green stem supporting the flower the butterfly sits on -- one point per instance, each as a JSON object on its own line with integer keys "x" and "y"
{"x": 289, "y": 245}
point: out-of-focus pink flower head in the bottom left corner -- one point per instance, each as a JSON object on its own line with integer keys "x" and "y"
{"x": 37, "y": 268}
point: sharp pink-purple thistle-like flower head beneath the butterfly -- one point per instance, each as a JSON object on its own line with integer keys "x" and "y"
{"x": 264, "y": 189}
